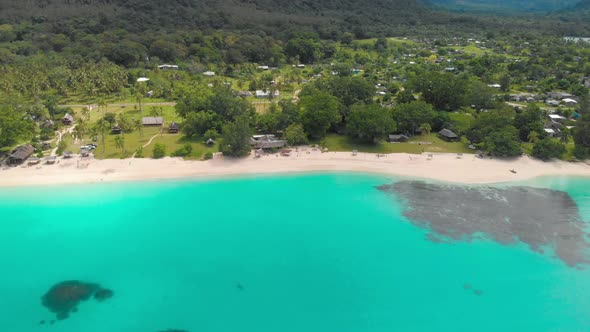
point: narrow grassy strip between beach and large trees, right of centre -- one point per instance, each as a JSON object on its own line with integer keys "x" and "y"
{"x": 343, "y": 143}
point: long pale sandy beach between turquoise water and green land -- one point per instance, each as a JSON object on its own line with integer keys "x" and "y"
{"x": 441, "y": 167}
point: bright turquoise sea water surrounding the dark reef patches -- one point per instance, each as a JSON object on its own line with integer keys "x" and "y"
{"x": 324, "y": 252}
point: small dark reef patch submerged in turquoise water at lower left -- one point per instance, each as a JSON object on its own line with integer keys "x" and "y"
{"x": 63, "y": 298}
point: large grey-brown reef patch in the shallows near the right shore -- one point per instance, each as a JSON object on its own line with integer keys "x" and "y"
{"x": 541, "y": 218}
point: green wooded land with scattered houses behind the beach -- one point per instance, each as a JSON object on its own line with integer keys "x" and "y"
{"x": 341, "y": 74}
